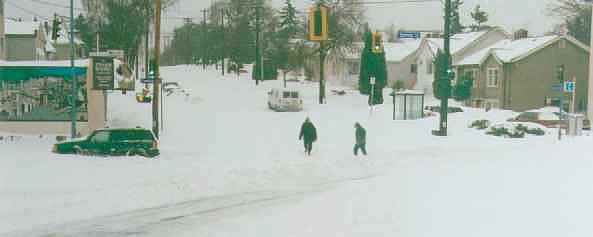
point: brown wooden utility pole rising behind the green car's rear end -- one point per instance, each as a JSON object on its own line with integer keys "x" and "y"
{"x": 157, "y": 77}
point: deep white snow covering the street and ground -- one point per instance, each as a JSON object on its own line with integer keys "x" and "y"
{"x": 231, "y": 167}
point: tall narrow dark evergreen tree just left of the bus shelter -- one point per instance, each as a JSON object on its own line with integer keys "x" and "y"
{"x": 372, "y": 65}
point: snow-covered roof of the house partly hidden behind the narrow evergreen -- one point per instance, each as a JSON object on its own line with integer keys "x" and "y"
{"x": 394, "y": 51}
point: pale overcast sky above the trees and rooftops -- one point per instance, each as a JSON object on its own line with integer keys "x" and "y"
{"x": 511, "y": 14}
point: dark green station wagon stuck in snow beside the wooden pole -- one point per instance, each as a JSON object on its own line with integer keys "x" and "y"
{"x": 112, "y": 142}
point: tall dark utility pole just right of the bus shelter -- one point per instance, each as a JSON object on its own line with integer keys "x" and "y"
{"x": 446, "y": 73}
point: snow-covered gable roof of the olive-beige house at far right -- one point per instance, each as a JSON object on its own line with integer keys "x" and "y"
{"x": 509, "y": 51}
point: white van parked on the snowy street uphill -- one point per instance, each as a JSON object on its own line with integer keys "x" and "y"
{"x": 285, "y": 100}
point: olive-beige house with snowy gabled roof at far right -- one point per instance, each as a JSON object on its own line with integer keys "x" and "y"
{"x": 519, "y": 73}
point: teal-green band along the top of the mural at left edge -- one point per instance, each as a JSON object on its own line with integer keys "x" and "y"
{"x": 12, "y": 73}
